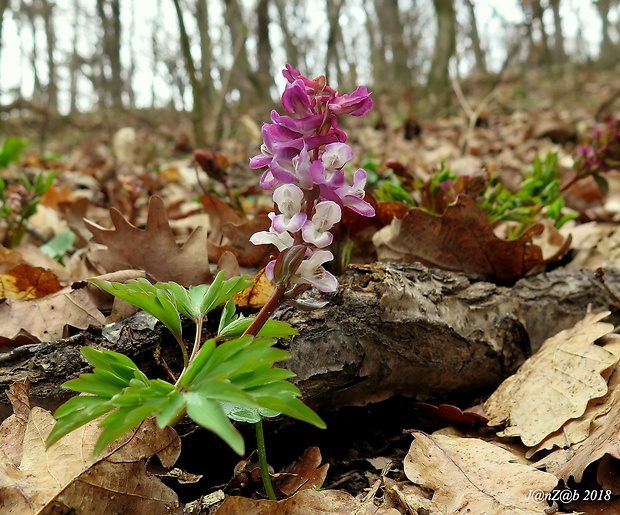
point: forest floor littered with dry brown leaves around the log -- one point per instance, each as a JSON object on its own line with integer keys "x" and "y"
{"x": 372, "y": 462}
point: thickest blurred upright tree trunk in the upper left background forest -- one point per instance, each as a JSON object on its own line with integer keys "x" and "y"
{"x": 109, "y": 12}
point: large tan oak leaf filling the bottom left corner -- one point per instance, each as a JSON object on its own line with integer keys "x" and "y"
{"x": 67, "y": 479}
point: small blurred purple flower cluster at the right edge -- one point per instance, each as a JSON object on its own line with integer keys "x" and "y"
{"x": 602, "y": 153}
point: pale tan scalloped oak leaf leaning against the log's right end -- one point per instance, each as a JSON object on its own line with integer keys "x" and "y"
{"x": 555, "y": 384}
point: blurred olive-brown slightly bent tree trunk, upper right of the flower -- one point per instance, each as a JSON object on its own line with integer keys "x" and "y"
{"x": 438, "y": 83}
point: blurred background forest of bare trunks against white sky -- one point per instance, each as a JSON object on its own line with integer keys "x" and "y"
{"x": 218, "y": 58}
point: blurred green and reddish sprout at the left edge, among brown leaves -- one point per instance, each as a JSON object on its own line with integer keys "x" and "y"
{"x": 18, "y": 202}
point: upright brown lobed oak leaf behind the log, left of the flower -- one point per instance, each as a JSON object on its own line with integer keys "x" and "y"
{"x": 153, "y": 249}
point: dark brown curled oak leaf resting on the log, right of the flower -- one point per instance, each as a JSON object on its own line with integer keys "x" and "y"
{"x": 462, "y": 240}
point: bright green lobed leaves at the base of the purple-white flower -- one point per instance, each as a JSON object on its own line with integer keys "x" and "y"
{"x": 228, "y": 376}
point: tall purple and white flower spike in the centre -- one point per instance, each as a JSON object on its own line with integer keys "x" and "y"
{"x": 305, "y": 154}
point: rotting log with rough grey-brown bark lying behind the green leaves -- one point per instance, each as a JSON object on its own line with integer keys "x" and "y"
{"x": 390, "y": 329}
